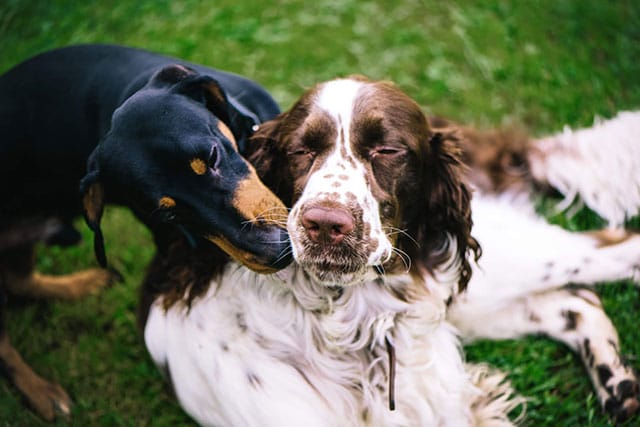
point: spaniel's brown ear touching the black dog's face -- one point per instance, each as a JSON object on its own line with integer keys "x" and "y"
{"x": 266, "y": 153}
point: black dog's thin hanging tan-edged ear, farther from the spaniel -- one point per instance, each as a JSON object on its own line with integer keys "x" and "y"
{"x": 92, "y": 194}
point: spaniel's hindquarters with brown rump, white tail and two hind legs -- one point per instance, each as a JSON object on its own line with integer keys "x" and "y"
{"x": 520, "y": 286}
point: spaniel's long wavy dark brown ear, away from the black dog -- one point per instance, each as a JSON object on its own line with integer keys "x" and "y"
{"x": 447, "y": 206}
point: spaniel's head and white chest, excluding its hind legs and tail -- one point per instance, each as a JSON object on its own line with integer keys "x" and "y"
{"x": 353, "y": 333}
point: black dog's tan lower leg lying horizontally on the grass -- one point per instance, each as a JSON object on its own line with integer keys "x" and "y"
{"x": 68, "y": 286}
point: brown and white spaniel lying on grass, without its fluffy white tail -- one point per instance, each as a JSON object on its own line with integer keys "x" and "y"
{"x": 362, "y": 328}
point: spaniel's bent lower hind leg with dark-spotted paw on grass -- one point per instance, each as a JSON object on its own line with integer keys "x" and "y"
{"x": 572, "y": 316}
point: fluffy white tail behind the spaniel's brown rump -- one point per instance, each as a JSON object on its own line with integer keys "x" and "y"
{"x": 600, "y": 165}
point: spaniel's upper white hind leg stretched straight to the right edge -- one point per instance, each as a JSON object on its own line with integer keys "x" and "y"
{"x": 523, "y": 254}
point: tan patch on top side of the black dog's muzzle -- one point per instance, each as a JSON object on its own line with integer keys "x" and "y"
{"x": 255, "y": 202}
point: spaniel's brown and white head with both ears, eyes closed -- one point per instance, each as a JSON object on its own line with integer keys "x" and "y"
{"x": 372, "y": 188}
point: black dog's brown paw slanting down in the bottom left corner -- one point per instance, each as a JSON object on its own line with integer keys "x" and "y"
{"x": 46, "y": 398}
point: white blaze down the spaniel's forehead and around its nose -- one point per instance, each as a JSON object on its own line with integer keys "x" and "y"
{"x": 342, "y": 177}
